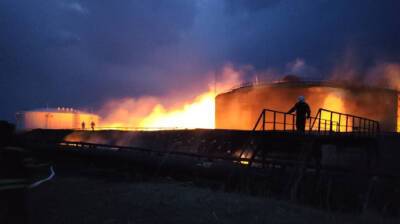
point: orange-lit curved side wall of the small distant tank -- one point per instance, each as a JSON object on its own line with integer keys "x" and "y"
{"x": 55, "y": 120}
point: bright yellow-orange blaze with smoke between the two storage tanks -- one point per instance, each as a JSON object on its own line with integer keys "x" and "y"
{"x": 149, "y": 113}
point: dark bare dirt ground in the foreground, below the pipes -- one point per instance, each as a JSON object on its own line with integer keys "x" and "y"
{"x": 99, "y": 200}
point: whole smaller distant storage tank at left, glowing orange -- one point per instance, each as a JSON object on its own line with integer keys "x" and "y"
{"x": 55, "y": 118}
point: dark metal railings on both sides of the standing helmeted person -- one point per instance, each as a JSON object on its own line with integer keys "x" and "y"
{"x": 324, "y": 121}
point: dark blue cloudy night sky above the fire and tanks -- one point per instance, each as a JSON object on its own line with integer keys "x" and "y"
{"x": 80, "y": 53}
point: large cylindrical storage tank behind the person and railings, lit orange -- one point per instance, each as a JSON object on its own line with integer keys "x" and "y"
{"x": 241, "y": 107}
